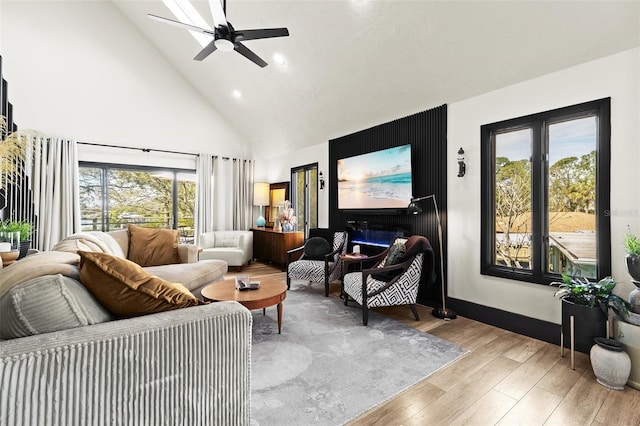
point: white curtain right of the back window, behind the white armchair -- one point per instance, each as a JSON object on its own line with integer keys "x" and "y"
{"x": 224, "y": 194}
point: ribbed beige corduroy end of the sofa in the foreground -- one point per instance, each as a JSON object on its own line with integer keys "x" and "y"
{"x": 175, "y": 367}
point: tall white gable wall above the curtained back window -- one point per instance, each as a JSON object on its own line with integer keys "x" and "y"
{"x": 80, "y": 70}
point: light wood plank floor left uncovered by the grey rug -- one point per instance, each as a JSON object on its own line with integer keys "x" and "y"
{"x": 505, "y": 379}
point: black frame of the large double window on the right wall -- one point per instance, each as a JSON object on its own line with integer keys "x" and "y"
{"x": 539, "y": 174}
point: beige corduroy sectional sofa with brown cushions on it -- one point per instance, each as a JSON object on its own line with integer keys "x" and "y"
{"x": 183, "y": 366}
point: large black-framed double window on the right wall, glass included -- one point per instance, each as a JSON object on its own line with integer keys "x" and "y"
{"x": 545, "y": 195}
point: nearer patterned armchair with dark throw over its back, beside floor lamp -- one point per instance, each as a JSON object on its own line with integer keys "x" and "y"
{"x": 394, "y": 279}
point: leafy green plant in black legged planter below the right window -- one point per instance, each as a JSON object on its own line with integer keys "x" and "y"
{"x": 589, "y": 303}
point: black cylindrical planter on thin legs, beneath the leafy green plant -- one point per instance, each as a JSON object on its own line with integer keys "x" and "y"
{"x": 589, "y": 323}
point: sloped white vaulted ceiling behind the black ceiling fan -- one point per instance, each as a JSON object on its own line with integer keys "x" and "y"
{"x": 351, "y": 64}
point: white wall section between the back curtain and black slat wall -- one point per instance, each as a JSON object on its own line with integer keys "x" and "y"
{"x": 278, "y": 169}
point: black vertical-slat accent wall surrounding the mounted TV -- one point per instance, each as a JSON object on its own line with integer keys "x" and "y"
{"x": 427, "y": 133}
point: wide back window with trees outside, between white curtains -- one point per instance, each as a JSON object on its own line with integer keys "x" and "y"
{"x": 114, "y": 196}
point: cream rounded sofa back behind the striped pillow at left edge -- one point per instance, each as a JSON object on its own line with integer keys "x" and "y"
{"x": 36, "y": 265}
